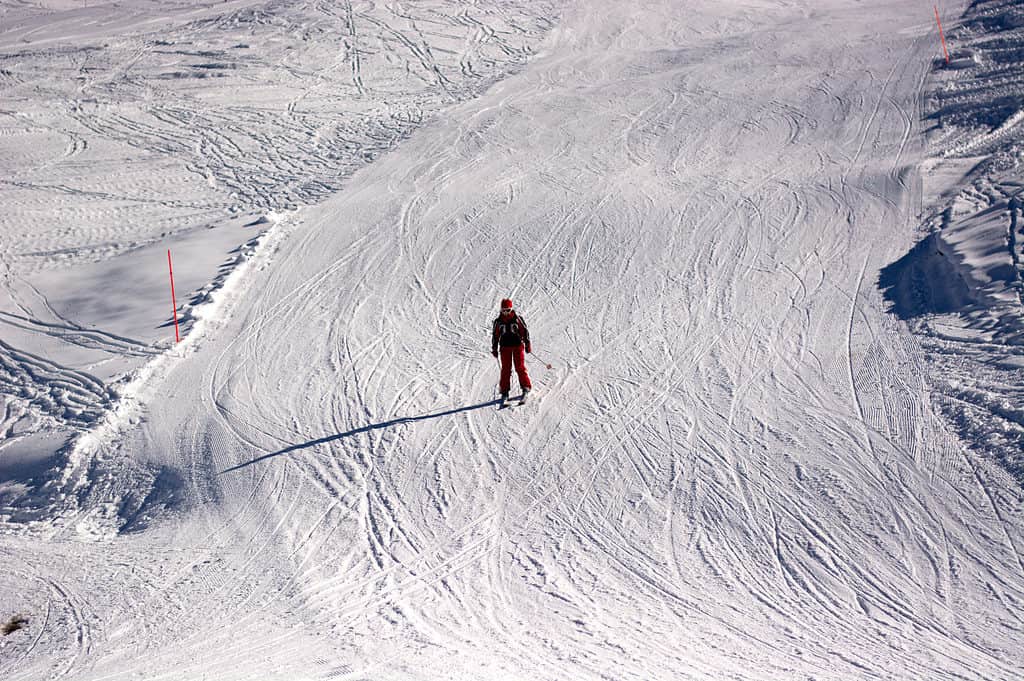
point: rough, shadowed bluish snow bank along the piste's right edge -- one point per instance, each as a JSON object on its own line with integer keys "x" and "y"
{"x": 966, "y": 275}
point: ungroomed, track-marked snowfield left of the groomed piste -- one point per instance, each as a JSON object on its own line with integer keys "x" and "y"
{"x": 126, "y": 132}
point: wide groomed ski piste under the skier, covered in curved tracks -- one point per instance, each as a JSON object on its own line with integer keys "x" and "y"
{"x": 735, "y": 469}
